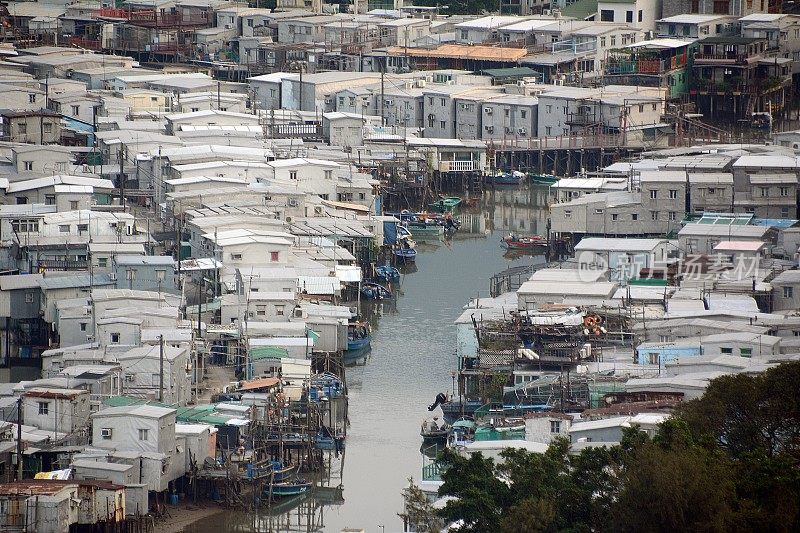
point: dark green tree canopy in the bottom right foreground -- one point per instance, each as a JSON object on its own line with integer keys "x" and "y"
{"x": 725, "y": 462}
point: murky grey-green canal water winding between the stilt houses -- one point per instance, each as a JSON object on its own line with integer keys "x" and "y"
{"x": 412, "y": 359}
